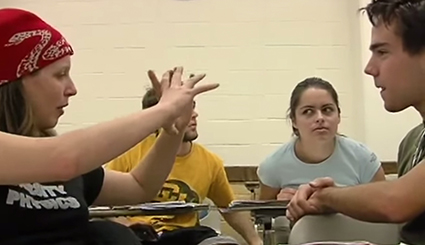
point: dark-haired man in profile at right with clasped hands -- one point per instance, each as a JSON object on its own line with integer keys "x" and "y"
{"x": 397, "y": 64}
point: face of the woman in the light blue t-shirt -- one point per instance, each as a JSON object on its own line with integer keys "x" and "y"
{"x": 316, "y": 116}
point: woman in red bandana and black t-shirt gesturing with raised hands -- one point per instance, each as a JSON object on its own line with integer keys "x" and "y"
{"x": 47, "y": 183}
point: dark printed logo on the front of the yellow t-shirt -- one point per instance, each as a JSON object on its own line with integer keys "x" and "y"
{"x": 176, "y": 190}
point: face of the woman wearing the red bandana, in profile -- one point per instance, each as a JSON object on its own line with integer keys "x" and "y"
{"x": 48, "y": 92}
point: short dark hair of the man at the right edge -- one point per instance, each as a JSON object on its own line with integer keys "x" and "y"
{"x": 408, "y": 17}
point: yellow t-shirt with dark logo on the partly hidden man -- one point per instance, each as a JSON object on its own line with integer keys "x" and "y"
{"x": 193, "y": 177}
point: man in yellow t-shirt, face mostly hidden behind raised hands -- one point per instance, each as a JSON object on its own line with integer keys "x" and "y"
{"x": 197, "y": 173}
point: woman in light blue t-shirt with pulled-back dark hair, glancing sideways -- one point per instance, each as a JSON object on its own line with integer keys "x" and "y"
{"x": 317, "y": 149}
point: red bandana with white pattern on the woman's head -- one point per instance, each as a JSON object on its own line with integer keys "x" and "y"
{"x": 27, "y": 44}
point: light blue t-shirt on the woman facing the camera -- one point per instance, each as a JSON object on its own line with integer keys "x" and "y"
{"x": 351, "y": 163}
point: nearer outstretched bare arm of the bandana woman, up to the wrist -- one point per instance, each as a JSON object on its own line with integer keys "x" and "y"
{"x": 64, "y": 157}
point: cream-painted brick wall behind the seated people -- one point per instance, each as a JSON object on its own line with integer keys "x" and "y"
{"x": 257, "y": 49}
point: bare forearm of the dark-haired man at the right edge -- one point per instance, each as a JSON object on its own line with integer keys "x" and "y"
{"x": 395, "y": 201}
